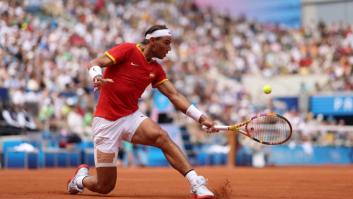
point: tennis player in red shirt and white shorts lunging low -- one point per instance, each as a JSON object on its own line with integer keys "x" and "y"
{"x": 130, "y": 68}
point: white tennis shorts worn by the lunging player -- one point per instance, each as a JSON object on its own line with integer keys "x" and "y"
{"x": 108, "y": 136}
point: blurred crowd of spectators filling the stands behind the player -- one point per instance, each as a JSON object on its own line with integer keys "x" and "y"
{"x": 46, "y": 45}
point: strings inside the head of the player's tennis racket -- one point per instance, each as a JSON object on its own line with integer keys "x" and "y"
{"x": 269, "y": 129}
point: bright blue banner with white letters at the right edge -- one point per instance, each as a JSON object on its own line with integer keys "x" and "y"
{"x": 332, "y": 105}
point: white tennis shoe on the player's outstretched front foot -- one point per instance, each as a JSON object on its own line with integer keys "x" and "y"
{"x": 199, "y": 189}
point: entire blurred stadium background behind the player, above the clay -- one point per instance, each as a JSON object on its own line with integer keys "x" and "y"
{"x": 223, "y": 53}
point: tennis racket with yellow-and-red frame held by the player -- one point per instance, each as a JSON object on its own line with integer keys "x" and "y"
{"x": 265, "y": 128}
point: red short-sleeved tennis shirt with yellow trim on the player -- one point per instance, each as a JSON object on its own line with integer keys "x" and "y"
{"x": 131, "y": 74}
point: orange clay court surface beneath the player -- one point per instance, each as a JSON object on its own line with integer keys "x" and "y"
{"x": 334, "y": 182}
